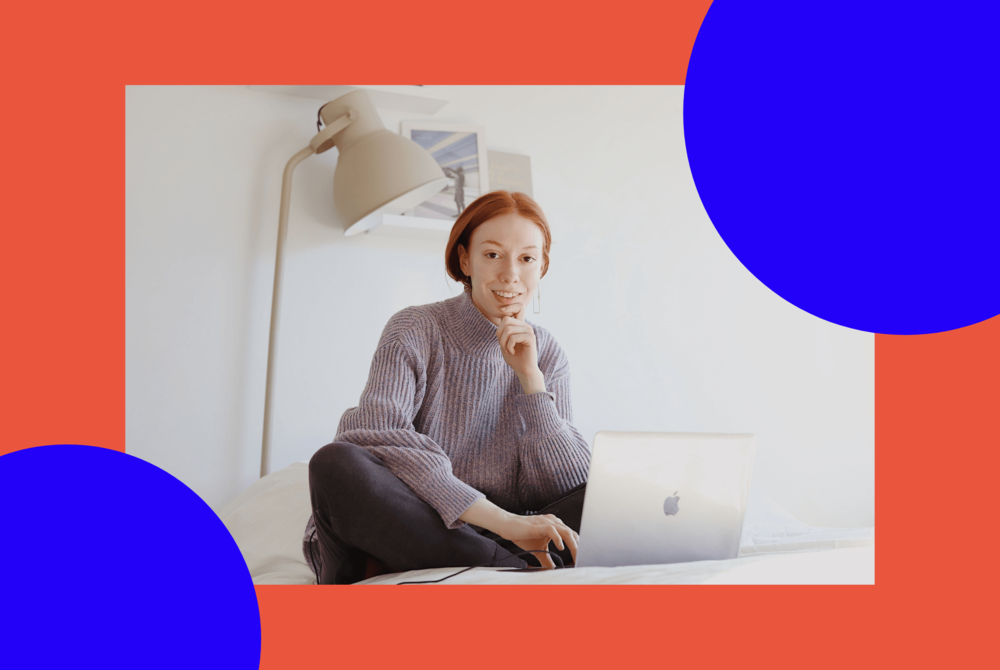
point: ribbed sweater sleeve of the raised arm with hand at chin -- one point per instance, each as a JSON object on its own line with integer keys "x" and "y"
{"x": 554, "y": 457}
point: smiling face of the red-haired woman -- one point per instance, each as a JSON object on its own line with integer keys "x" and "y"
{"x": 504, "y": 255}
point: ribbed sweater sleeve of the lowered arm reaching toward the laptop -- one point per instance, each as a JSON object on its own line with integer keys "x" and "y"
{"x": 383, "y": 424}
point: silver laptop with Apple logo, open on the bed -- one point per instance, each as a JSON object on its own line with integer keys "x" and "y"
{"x": 657, "y": 498}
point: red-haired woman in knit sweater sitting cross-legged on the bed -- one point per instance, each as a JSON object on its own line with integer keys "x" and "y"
{"x": 462, "y": 449}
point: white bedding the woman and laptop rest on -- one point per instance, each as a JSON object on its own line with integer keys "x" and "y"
{"x": 268, "y": 519}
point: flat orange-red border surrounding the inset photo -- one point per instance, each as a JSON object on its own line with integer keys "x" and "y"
{"x": 64, "y": 343}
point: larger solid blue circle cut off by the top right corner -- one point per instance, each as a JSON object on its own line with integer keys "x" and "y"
{"x": 849, "y": 156}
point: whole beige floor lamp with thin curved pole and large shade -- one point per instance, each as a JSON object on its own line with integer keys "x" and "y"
{"x": 378, "y": 172}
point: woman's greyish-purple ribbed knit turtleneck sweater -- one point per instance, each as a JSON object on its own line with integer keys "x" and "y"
{"x": 448, "y": 416}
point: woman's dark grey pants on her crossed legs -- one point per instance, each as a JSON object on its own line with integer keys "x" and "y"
{"x": 360, "y": 508}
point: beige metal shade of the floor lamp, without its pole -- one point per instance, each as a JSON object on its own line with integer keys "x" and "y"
{"x": 378, "y": 171}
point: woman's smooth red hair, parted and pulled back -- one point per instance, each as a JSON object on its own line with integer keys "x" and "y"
{"x": 484, "y": 208}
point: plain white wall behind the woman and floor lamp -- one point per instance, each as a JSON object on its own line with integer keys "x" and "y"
{"x": 665, "y": 329}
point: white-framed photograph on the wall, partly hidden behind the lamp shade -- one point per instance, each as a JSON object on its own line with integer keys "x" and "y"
{"x": 460, "y": 150}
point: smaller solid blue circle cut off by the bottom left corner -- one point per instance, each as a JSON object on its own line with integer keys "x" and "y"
{"x": 110, "y": 562}
